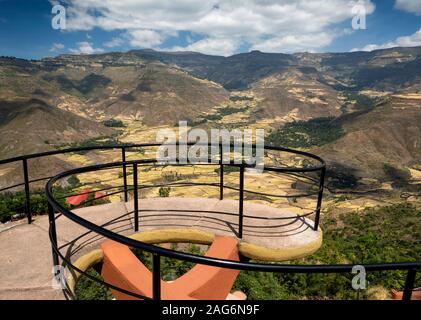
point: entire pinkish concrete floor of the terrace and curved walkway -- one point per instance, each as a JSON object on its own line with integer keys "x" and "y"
{"x": 25, "y": 251}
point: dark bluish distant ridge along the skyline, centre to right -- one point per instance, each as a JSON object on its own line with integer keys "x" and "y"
{"x": 237, "y": 72}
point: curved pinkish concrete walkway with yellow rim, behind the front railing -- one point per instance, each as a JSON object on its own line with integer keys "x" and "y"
{"x": 269, "y": 234}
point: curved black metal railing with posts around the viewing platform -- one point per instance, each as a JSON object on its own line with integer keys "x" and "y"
{"x": 156, "y": 251}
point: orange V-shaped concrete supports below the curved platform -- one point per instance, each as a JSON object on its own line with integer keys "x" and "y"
{"x": 124, "y": 270}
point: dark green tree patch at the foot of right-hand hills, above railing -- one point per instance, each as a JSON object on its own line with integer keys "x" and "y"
{"x": 306, "y": 134}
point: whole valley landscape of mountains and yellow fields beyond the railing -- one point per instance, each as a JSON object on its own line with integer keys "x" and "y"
{"x": 329, "y": 104}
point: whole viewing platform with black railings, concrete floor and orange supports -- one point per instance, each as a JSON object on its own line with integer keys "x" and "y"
{"x": 241, "y": 226}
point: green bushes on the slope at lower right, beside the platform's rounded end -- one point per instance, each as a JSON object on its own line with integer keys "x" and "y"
{"x": 388, "y": 234}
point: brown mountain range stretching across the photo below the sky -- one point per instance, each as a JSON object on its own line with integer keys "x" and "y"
{"x": 374, "y": 97}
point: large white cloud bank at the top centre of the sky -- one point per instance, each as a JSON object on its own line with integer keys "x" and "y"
{"x": 223, "y": 26}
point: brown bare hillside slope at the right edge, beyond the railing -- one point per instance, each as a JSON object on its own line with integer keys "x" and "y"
{"x": 387, "y": 134}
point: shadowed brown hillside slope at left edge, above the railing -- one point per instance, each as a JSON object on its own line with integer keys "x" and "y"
{"x": 29, "y": 126}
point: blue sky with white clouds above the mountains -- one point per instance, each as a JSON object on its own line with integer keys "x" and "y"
{"x": 208, "y": 26}
